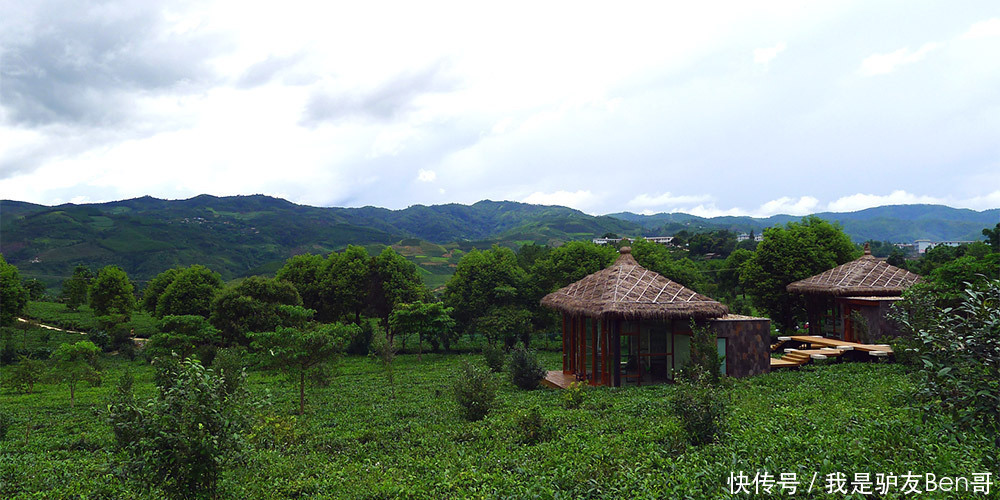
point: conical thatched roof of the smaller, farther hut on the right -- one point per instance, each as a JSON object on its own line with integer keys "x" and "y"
{"x": 867, "y": 276}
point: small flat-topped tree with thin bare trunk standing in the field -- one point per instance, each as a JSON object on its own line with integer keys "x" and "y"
{"x": 302, "y": 351}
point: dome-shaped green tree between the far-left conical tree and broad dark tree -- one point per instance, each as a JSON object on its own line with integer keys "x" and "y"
{"x": 190, "y": 292}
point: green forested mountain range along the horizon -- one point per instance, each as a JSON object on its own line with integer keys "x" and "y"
{"x": 245, "y": 235}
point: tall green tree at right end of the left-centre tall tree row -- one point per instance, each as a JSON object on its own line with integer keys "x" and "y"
{"x": 393, "y": 281}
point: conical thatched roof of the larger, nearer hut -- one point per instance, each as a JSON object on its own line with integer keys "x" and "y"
{"x": 626, "y": 289}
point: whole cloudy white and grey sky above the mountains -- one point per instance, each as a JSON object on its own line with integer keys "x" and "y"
{"x": 704, "y": 107}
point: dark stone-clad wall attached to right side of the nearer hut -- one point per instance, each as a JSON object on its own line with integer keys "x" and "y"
{"x": 748, "y": 344}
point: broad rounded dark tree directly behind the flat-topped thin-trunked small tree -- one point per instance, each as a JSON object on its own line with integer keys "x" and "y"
{"x": 257, "y": 304}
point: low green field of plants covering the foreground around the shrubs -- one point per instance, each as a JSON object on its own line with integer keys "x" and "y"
{"x": 356, "y": 441}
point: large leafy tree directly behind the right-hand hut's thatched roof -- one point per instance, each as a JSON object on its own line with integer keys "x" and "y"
{"x": 795, "y": 252}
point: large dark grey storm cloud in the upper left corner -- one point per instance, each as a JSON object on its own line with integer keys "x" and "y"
{"x": 81, "y": 62}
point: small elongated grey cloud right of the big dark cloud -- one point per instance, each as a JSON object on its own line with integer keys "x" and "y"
{"x": 383, "y": 102}
